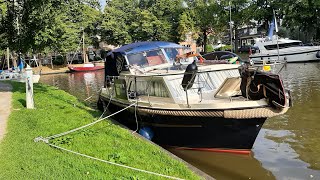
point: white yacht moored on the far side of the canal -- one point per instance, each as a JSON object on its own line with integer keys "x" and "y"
{"x": 289, "y": 50}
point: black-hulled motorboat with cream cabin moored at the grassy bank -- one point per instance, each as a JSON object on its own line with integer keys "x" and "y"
{"x": 175, "y": 100}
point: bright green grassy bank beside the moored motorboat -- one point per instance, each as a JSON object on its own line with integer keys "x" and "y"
{"x": 56, "y": 112}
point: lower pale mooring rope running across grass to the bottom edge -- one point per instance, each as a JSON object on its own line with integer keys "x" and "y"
{"x": 116, "y": 164}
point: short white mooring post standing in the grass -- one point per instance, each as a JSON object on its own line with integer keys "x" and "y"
{"x": 29, "y": 88}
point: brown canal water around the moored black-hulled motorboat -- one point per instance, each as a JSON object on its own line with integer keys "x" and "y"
{"x": 288, "y": 146}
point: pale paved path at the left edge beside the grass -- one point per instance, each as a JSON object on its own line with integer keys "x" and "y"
{"x": 5, "y": 106}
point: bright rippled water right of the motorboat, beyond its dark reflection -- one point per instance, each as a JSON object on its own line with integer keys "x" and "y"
{"x": 294, "y": 136}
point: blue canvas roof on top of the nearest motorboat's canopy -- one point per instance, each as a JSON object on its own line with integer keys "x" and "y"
{"x": 145, "y": 46}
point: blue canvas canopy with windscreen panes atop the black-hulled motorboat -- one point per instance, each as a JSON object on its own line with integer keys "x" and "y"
{"x": 144, "y": 56}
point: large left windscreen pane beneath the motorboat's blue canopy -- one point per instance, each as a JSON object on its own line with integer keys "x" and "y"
{"x": 147, "y": 58}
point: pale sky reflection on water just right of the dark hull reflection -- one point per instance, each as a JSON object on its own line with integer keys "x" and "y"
{"x": 273, "y": 149}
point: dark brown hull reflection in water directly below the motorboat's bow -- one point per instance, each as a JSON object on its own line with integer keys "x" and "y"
{"x": 225, "y": 165}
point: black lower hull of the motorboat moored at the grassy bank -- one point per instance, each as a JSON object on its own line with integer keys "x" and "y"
{"x": 192, "y": 131}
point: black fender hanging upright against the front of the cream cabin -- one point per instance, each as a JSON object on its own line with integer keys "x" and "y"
{"x": 189, "y": 75}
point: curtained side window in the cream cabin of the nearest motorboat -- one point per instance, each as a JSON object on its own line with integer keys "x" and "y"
{"x": 149, "y": 87}
